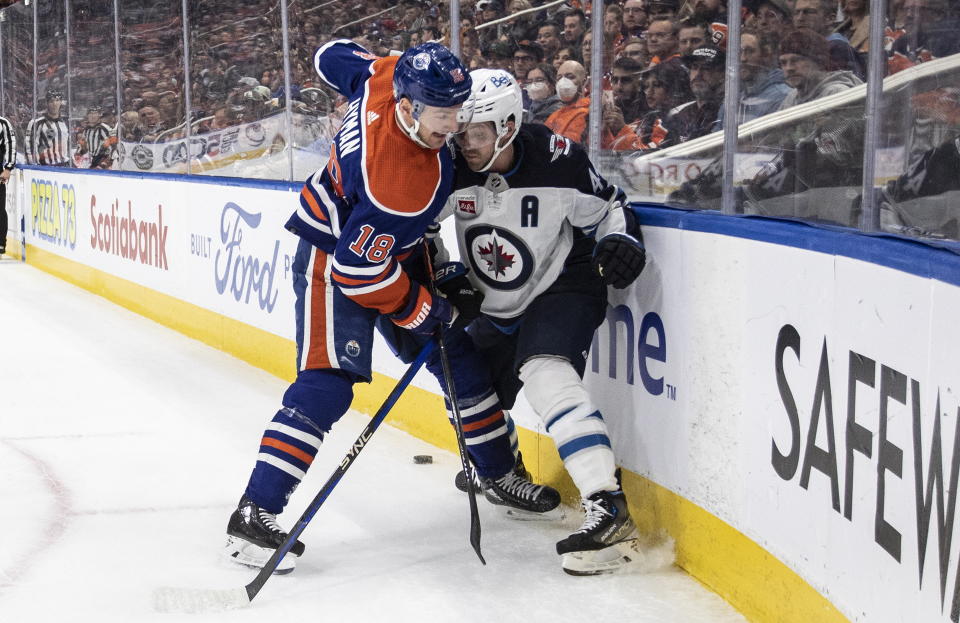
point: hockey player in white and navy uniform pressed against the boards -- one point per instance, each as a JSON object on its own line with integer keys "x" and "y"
{"x": 544, "y": 234}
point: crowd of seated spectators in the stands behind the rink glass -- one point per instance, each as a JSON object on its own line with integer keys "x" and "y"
{"x": 662, "y": 60}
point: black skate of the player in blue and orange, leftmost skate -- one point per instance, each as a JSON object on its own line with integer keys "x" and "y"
{"x": 253, "y": 535}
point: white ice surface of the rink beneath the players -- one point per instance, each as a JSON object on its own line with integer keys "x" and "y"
{"x": 124, "y": 446}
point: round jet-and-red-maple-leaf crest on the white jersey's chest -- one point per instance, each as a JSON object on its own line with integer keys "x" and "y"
{"x": 499, "y": 258}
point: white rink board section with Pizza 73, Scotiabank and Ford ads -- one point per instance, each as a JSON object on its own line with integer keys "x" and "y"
{"x": 222, "y": 248}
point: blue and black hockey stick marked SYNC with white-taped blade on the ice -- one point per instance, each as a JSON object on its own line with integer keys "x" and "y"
{"x": 191, "y": 600}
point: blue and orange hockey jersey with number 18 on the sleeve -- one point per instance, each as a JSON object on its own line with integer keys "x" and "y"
{"x": 369, "y": 207}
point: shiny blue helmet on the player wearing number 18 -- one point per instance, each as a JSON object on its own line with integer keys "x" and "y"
{"x": 431, "y": 75}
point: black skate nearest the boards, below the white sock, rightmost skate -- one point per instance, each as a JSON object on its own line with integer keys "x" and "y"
{"x": 606, "y": 541}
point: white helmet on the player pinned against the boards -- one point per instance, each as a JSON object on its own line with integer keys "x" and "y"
{"x": 497, "y": 98}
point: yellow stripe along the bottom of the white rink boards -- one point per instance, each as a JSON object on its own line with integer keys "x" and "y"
{"x": 761, "y": 587}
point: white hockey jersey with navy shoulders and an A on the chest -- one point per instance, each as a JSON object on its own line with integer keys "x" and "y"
{"x": 517, "y": 230}
